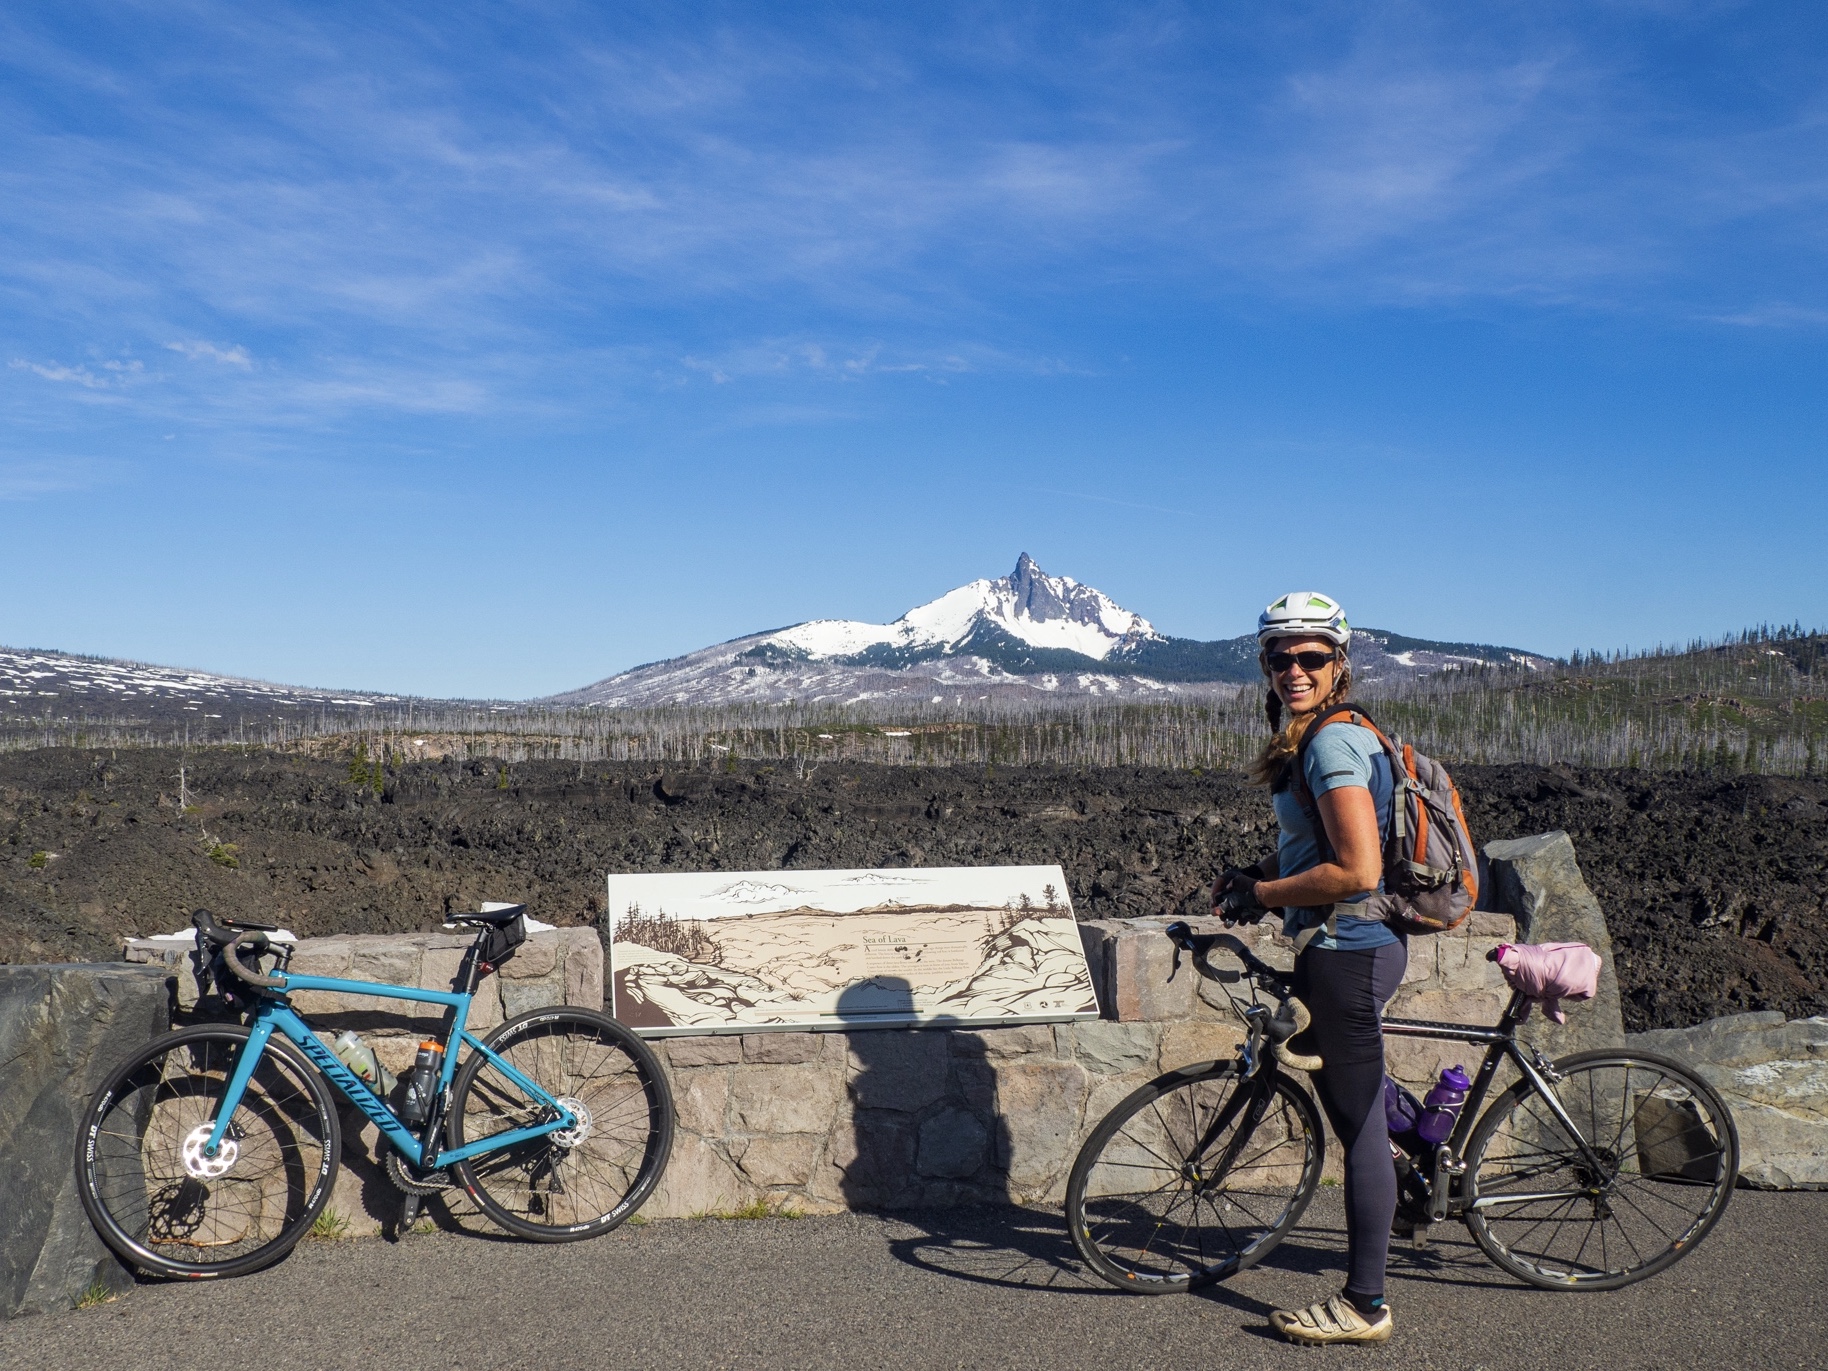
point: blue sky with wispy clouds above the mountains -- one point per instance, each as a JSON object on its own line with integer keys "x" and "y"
{"x": 487, "y": 350}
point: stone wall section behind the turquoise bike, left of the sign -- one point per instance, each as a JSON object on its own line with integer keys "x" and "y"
{"x": 564, "y": 966}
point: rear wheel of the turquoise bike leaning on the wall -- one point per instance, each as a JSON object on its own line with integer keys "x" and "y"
{"x": 562, "y": 1189}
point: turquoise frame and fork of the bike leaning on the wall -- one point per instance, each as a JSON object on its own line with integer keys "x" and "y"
{"x": 277, "y": 1015}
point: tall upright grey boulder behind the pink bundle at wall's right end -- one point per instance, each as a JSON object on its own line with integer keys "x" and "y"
{"x": 1540, "y": 884}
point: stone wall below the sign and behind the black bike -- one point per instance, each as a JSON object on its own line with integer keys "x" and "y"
{"x": 931, "y": 1118}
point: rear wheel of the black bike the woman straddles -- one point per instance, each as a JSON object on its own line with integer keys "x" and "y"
{"x": 1670, "y": 1153}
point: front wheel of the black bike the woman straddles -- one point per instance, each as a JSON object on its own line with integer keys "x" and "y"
{"x": 1131, "y": 1200}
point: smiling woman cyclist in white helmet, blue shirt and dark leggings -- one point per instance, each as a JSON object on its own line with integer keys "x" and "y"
{"x": 1346, "y": 968}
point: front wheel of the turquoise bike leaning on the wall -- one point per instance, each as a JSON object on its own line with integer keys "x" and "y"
{"x": 164, "y": 1211}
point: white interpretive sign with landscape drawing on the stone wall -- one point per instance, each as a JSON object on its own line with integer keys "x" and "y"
{"x": 743, "y": 951}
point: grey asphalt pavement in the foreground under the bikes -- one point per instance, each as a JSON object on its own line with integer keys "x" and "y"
{"x": 950, "y": 1290}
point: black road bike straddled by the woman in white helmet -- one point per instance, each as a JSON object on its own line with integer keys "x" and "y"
{"x": 1588, "y": 1174}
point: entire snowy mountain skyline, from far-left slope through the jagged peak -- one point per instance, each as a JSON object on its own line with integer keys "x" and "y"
{"x": 1019, "y": 637}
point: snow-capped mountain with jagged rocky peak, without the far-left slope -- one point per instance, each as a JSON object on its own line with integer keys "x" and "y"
{"x": 1026, "y": 635}
